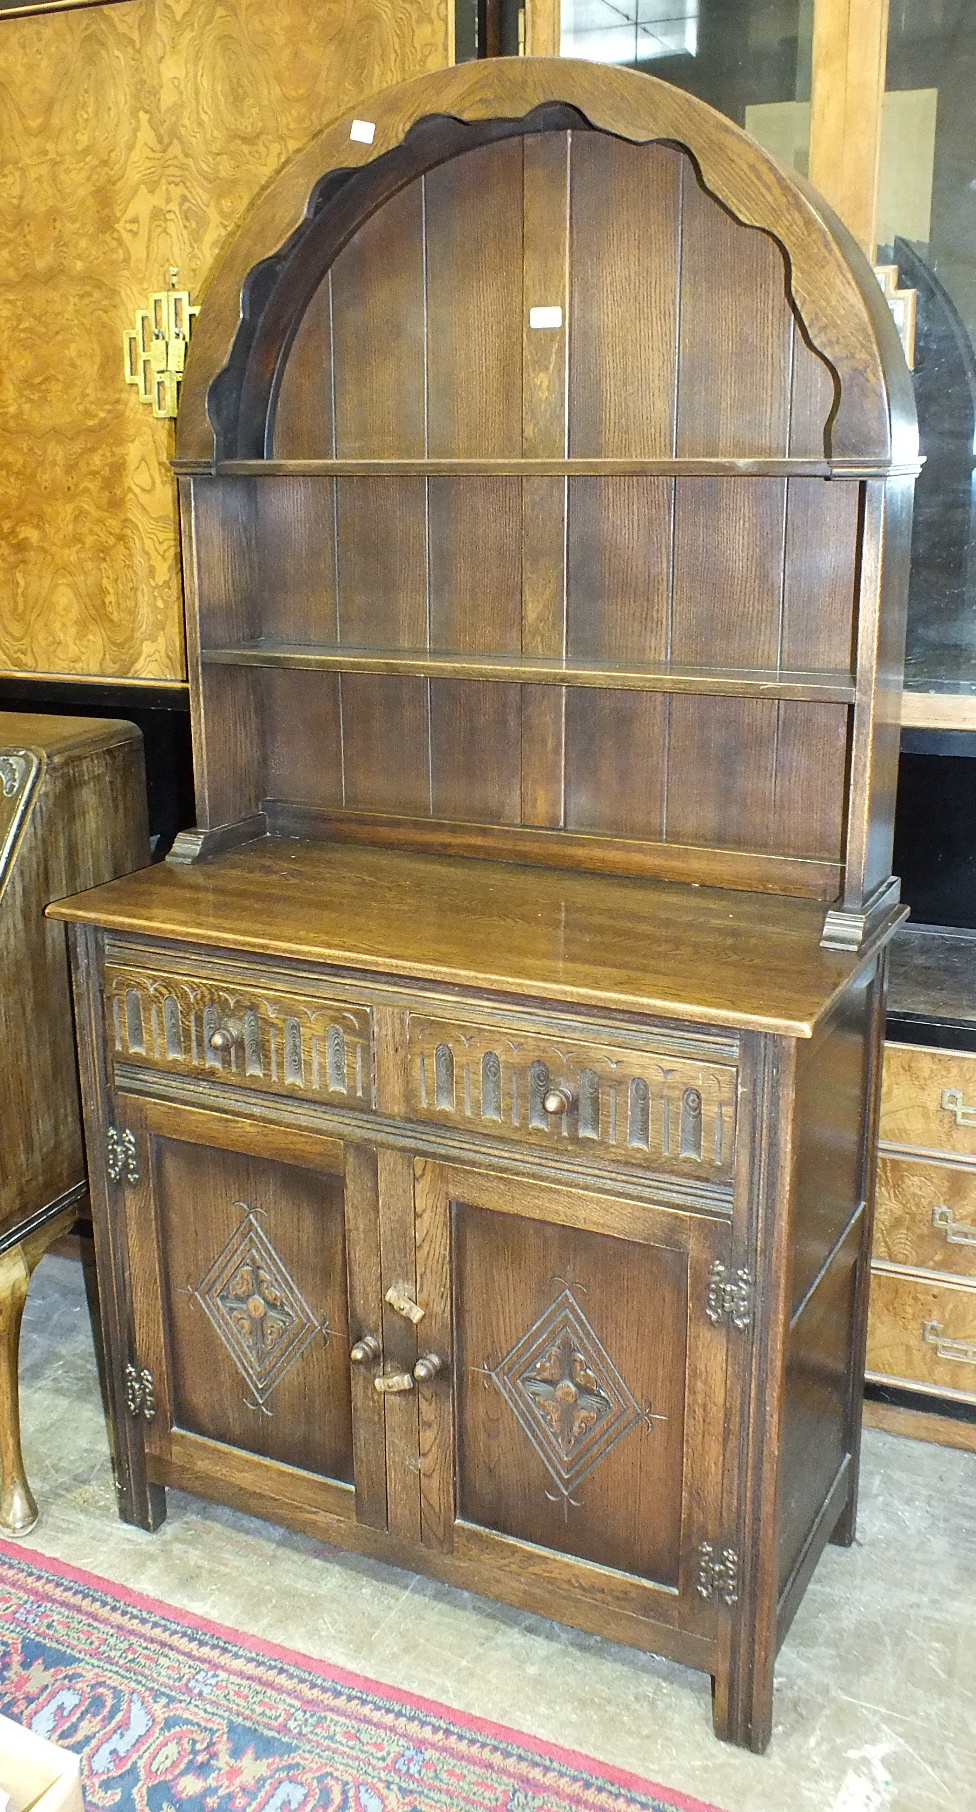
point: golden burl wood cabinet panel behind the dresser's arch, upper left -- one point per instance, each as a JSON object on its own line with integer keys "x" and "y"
{"x": 133, "y": 139}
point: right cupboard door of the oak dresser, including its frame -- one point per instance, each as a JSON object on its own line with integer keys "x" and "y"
{"x": 584, "y": 1443}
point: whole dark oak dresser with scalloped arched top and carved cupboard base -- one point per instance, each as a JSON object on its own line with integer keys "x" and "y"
{"x": 486, "y": 1090}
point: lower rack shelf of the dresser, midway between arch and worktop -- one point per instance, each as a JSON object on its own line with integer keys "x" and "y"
{"x": 530, "y": 670}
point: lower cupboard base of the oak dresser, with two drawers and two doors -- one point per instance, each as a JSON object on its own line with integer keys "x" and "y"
{"x": 597, "y": 1358}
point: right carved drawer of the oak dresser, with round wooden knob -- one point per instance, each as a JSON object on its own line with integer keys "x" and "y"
{"x": 665, "y": 1112}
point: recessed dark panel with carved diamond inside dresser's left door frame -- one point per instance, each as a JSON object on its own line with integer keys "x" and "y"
{"x": 256, "y": 1306}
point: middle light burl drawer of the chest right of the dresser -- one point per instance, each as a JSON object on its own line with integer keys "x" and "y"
{"x": 926, "y": 1217}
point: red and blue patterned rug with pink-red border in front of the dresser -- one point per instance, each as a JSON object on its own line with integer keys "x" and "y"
{"x": 177, "y": 1715}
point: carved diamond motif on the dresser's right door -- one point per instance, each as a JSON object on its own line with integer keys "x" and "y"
{"x": 568, "y": 1393}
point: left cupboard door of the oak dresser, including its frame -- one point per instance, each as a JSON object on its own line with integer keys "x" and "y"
{"x": 242, "y": 1291}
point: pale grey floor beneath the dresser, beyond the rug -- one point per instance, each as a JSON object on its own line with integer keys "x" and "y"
{"x": 876, "y": 1686}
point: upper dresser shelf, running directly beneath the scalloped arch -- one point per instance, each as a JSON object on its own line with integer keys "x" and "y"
{"x": 542, "y": 468}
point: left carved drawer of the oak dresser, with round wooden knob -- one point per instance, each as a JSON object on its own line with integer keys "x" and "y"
{"x": 253, "y": 1037}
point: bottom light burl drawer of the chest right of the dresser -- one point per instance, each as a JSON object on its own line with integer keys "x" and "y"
{"x": 923, "y": 1333}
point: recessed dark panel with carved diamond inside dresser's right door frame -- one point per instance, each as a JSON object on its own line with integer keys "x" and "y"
{"x": 535, "y": 1304}
